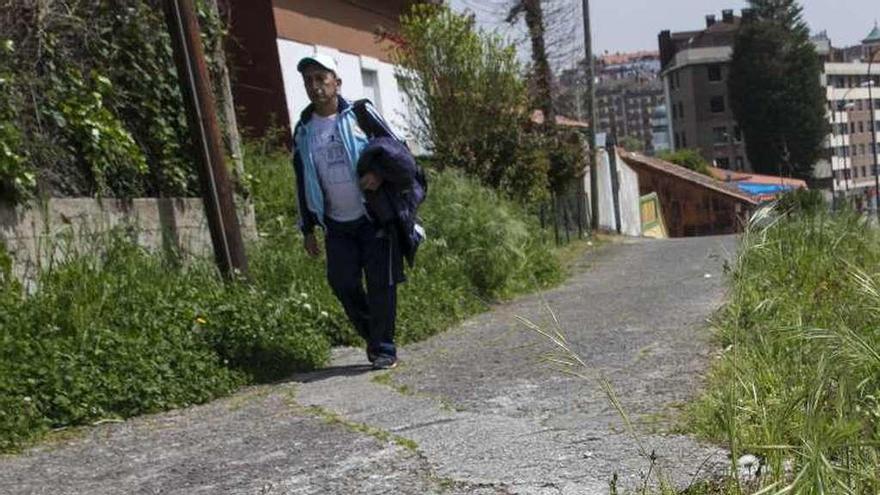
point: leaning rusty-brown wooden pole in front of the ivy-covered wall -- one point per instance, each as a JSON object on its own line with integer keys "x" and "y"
{"x": 183, "y": 26}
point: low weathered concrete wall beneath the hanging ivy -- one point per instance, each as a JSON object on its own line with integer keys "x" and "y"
{"x": 40, "y": 233}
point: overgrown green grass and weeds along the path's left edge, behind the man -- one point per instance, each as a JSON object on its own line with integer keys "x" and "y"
{"x": 116, "y": 331}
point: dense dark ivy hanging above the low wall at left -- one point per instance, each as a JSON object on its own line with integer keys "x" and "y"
{"x": 90, "y": 102}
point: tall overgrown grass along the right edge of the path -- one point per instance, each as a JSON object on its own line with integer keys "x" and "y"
{"x": 798, "y": 383}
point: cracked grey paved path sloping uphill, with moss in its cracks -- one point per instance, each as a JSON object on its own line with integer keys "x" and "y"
{"x": 473, "y": 411}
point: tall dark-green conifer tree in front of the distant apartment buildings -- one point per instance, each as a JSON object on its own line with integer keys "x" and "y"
{"x": 775, "y": 90}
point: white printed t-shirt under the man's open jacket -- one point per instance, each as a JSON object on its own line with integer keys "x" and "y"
{"x": 342, "y": 196}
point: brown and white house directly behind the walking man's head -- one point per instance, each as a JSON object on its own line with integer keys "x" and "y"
{"x": 269, "y": 37}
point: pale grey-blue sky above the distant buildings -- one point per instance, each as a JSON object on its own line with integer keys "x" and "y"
{"x": 630, "y": 25}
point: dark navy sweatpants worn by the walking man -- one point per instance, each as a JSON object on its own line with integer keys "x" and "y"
{"x": 356, "y": 250}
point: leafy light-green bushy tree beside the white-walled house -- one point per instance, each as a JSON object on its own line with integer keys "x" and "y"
{"x": 469, "y": 100}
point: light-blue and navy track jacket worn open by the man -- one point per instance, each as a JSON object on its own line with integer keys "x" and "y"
{"x": 354, "y": 139}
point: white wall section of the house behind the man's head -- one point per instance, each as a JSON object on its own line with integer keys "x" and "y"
{"x": 391, "y": 102}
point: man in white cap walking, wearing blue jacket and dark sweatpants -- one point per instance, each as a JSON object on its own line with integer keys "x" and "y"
{"x": 328, "y": 141}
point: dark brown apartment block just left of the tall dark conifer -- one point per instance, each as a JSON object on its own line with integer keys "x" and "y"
{"x": 695, "y": 68}
